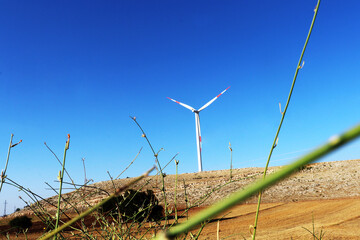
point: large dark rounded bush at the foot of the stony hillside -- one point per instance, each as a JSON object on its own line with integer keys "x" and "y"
{"x": 135, "y": 205}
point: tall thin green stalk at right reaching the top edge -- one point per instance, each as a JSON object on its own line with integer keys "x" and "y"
{"x": 299, "y": 66}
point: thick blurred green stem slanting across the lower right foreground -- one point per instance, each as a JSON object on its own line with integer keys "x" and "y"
{"x": 332, "y": 144}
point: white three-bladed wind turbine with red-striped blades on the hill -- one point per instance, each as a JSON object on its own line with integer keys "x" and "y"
{"x": 197, "y": 123}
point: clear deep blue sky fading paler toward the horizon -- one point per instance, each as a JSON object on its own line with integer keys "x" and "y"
{"x": 82, "y": 67}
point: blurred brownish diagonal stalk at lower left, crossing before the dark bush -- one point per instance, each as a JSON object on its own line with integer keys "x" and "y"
{"x": 97, "y": 206}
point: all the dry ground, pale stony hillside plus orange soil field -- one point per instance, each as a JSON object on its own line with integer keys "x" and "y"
{"x": 323, "y": 196}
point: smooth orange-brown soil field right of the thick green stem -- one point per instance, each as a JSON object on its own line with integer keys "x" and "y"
{"x": 338, "y": 219}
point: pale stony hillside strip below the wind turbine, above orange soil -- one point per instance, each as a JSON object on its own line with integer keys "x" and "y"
{"x": 326, "y": 180}
